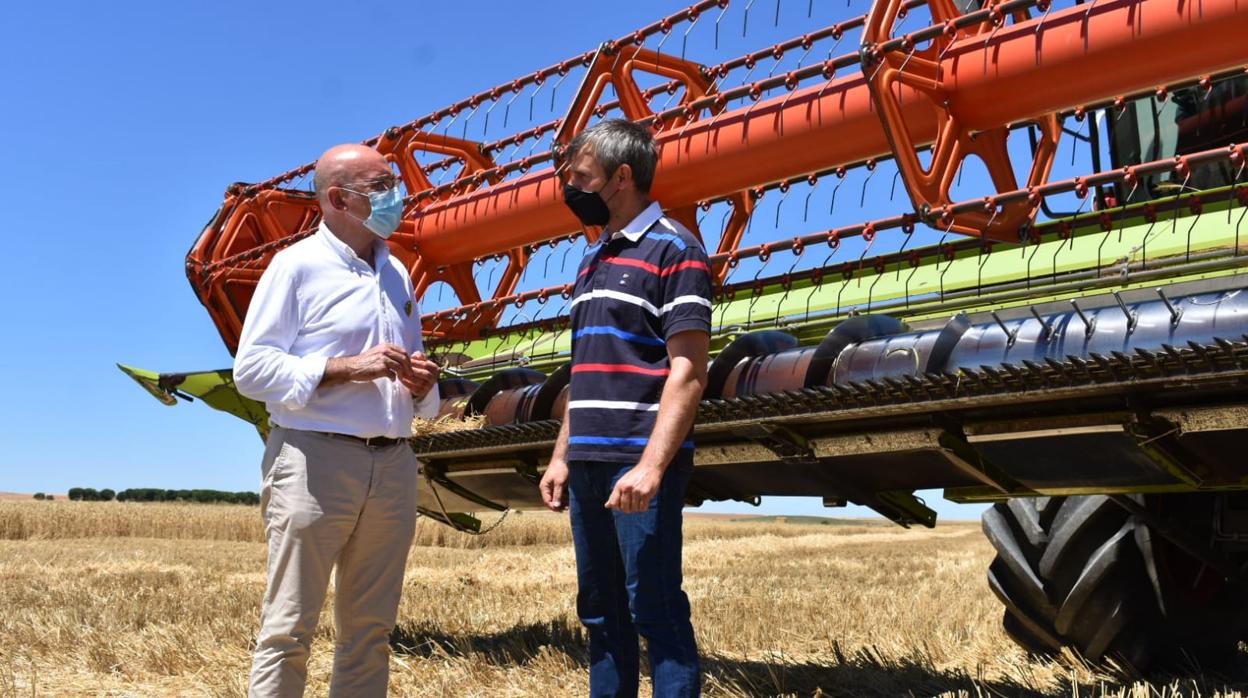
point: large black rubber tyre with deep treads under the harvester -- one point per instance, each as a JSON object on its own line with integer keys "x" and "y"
{"x": 1085, "y": 574}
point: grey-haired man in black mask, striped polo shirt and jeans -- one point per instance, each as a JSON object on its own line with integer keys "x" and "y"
{"x": 641, "y": 323}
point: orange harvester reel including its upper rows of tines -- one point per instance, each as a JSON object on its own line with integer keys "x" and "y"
{"x": 957, "y": 87}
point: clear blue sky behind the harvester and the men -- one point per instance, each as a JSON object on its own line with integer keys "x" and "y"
{"x": 122, "y": 125}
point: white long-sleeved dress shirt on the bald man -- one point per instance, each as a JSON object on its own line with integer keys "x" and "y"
{"x": 319, "y": 300}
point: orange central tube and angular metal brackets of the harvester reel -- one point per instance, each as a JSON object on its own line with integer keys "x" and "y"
{"x": 960, "y": 94}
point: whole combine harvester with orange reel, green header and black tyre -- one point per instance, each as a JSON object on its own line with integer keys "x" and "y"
{"x": 1085, "y": 371}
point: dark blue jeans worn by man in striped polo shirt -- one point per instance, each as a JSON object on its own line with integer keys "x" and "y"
{"x": 628, "y": 569}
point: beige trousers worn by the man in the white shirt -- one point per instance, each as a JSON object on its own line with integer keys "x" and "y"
{"x": 328, "y": 501}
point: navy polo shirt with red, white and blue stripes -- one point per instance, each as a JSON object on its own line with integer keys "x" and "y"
{"x": 650, "y": 282}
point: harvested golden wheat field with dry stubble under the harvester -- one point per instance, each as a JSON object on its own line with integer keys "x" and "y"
{"x": 163, "y": 600}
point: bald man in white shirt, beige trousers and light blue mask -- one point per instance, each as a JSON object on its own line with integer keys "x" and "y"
{"x": 333, "y": 347}
